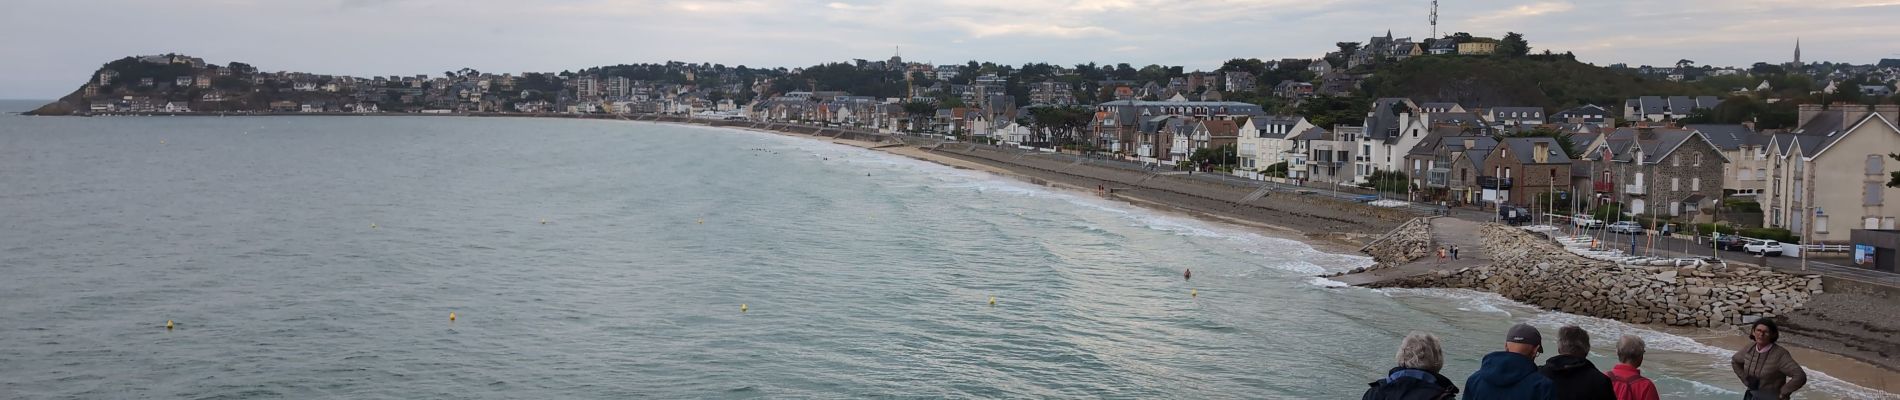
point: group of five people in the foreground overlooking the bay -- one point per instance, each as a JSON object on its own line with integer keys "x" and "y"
{"x": 1766, "y": 369}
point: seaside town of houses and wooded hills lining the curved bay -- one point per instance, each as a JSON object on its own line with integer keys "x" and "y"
{"x": 1730, "y": 151}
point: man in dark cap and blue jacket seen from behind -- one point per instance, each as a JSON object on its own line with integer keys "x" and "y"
{"x": 1511, "y": 373}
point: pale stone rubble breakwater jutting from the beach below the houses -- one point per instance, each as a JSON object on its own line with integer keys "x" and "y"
{"x": 1534, "y": 270}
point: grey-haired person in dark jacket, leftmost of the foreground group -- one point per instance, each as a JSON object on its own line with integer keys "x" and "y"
{"x": 1416, "y": 376}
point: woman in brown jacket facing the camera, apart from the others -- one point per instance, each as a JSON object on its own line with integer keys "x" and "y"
{"x": 1766, "y": 369}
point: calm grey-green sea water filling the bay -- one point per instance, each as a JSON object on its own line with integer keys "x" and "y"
{"x": 322, "y": 257}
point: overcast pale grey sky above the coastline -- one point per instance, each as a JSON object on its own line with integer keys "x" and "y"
{"x": 54, "y": 45}
